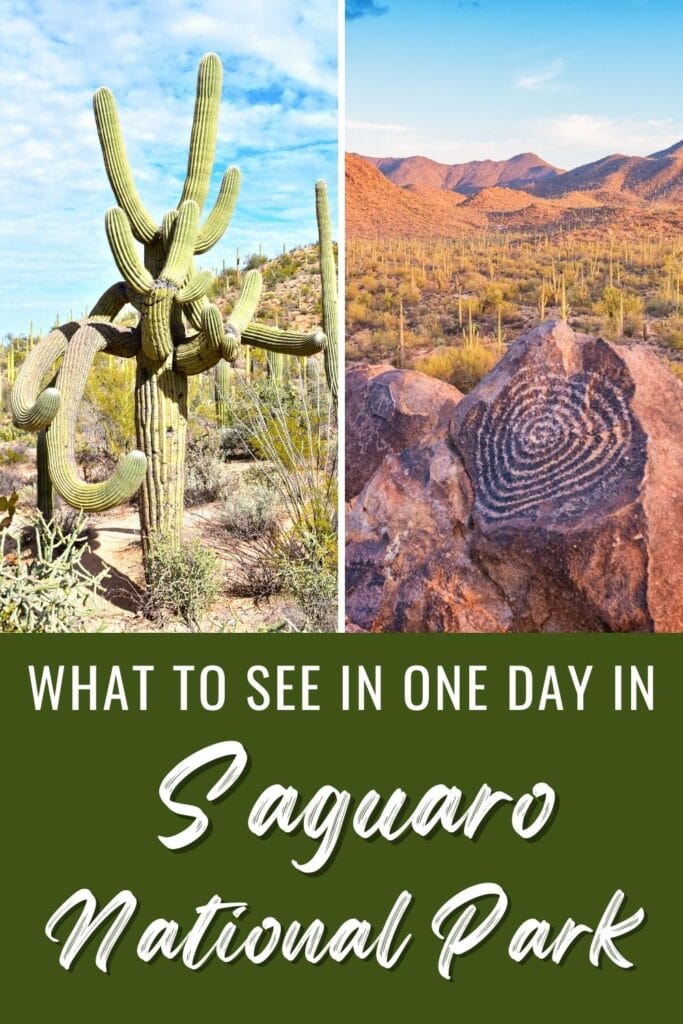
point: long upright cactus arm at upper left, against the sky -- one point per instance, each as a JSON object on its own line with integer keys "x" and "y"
{"x": 118, "y": 168}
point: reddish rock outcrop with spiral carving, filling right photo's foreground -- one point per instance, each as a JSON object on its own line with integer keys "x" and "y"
{"x": 556, "y": 505}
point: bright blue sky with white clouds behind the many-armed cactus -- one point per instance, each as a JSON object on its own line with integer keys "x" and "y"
{"x": 278, "y": 124}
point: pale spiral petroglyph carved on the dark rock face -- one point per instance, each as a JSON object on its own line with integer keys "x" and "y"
{"x": 552, "y": 448}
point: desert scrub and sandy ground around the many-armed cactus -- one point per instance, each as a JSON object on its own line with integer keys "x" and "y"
{"x": 260, "y": 531}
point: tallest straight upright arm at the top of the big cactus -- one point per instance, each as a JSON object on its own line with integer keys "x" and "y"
{"x": 205, "y": 131}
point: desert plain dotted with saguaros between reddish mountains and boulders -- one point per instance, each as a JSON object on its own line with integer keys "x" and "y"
{"x": 450, "y": 308}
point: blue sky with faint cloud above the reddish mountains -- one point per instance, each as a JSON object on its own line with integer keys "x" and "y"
{"x": 460, "y": 80}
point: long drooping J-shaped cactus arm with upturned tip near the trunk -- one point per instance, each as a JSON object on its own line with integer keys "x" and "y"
{"x": 129, "y": 476}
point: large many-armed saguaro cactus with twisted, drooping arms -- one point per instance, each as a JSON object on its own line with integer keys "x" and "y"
{"x": 180, "y": 333}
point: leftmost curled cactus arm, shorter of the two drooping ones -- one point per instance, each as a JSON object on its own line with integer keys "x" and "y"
{"x": 32, "y": 408}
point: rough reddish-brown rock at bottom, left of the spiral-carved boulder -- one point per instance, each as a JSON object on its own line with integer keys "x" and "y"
{"x": 409, "y": 568}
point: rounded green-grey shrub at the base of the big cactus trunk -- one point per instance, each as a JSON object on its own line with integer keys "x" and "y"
{"x": 183, "y": 581}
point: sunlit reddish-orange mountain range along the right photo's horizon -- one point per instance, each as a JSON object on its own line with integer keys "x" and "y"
{"x": 420, "y": 198}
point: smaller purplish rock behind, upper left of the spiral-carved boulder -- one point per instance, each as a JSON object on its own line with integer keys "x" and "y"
{"x": 388, "y": 411}
